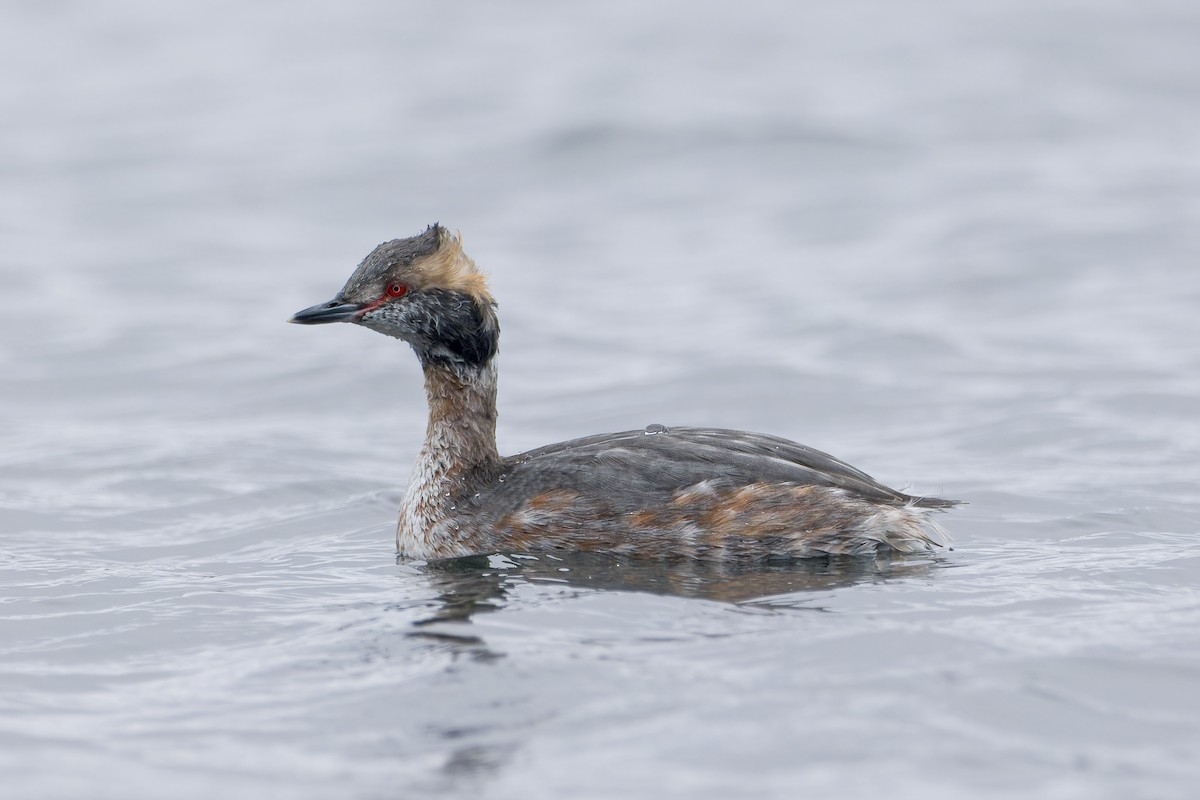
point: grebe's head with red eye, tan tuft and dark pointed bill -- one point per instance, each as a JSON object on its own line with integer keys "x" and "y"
{"x": 424, "y": 291}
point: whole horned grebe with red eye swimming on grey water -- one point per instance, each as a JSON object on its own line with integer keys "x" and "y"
{"x": 658, "y": 492}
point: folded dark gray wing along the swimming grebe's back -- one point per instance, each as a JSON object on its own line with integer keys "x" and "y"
{"x": 650, "y": 467}
